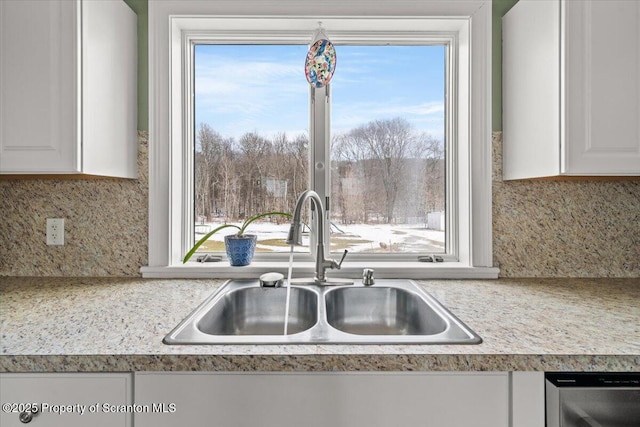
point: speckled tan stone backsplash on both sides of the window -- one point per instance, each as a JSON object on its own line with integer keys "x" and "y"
{"x": 540, "y": 228}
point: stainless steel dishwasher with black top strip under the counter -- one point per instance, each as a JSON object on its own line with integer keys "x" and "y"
{"x": 592, "y": 399}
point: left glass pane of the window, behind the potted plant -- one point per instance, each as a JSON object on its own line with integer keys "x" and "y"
{"x": 251, "y": 149}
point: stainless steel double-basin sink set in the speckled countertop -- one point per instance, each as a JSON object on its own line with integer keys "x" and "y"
{"x": 389, "y": 312}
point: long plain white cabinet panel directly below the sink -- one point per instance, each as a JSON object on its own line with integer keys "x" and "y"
{"x": 322, "y": 399}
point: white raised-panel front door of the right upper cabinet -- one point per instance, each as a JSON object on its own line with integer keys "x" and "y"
{"x": 602, "y": 77}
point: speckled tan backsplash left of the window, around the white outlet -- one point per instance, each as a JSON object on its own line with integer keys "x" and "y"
{"x": 106, "y": 224}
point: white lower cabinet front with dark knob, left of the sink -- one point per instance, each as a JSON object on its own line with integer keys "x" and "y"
{"x": 67, "y": 400}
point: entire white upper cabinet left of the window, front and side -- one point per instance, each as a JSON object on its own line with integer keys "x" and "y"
{"x": 68, "y": 79}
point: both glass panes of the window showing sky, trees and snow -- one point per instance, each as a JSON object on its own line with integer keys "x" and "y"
{"x": 387, "y": 153}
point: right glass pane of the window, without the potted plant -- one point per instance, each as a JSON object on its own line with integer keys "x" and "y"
{"x": 387, "y": 149}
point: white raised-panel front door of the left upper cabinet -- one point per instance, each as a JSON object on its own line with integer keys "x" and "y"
{"x": 38, "y": 85}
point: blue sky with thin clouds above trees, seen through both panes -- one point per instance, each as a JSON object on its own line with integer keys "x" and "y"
{"x": 242, "y": 88}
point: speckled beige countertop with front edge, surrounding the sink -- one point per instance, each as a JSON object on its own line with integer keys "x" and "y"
{"x": 117, "y": 324}
